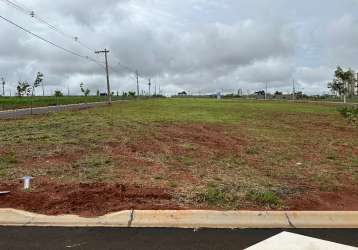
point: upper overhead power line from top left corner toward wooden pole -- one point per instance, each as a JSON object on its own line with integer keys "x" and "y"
{"x": 32, "y": 13}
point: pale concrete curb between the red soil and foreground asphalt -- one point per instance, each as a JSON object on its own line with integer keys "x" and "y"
{"x": 187, "y": 219}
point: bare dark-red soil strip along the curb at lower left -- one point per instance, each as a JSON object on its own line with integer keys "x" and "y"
{"x": 84, "y": 199}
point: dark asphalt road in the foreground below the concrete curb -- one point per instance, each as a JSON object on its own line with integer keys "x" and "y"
{"x": 131, "y": 238}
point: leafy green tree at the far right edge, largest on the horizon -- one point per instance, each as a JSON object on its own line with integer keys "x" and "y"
{"x": 343, "y": 82}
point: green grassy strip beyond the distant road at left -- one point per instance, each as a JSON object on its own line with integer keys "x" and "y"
{"x": 24, "y": 102}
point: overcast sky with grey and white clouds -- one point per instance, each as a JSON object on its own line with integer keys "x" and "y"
{"x": 193, "y": 45}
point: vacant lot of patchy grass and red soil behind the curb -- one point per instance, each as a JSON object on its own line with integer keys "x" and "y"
{"x": 182, "y": 153}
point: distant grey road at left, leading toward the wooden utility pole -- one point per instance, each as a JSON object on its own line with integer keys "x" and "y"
{"x": 18, "y": 113}
